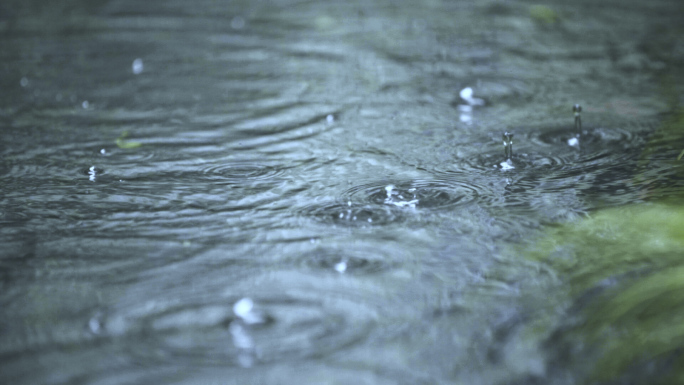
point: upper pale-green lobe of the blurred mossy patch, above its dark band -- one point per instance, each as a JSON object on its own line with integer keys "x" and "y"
{"x": 614, "y": 241}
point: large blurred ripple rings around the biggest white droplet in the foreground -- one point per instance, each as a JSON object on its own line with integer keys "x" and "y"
{"x": 291, "y": 322}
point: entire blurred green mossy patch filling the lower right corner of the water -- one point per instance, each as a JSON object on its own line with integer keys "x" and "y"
{"x": 624, "y": 272}
